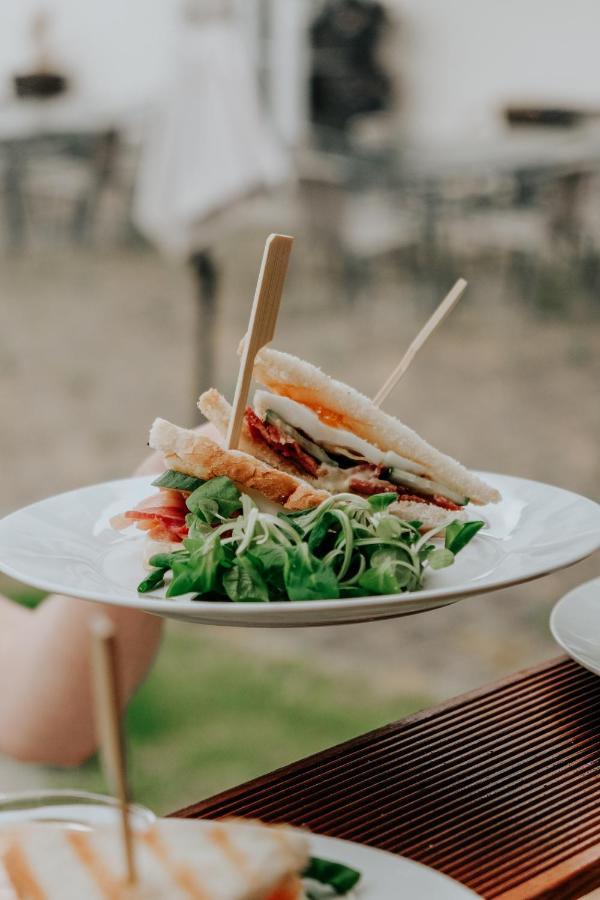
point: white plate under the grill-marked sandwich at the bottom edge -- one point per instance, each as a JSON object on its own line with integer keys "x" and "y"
{"x": 386, "y": 876}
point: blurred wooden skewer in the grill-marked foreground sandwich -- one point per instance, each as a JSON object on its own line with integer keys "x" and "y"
{"x": 108, "y": 723}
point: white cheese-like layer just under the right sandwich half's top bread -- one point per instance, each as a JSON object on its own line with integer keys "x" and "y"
{"x": 308, "y": 421}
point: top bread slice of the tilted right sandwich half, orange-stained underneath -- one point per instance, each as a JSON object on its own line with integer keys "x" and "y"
{"x": 285, "y": 374}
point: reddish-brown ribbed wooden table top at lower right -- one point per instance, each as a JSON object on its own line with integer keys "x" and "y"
{"x": 500, "y": 788}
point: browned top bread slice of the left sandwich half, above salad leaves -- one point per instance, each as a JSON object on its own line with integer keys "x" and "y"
{"x": 193, "y": 454}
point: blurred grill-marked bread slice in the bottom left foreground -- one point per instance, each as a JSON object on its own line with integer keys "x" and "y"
{"x": 176, "y": 859}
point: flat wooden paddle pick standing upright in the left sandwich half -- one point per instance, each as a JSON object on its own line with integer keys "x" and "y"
{"x": 261, "y": 328}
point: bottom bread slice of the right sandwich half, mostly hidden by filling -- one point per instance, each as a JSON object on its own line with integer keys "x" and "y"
{"x": 217, "y": 410}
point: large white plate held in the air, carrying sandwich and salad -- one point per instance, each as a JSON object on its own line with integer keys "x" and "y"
{"x": 65, "y": 544}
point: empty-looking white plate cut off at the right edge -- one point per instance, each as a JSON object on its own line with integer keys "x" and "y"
{"x": 575, "y": 624}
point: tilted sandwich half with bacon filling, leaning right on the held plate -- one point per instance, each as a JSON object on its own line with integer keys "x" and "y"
{"x": 311, "y": 426}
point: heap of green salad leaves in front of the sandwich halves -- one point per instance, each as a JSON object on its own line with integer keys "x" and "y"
{"x": 348, "y": 546}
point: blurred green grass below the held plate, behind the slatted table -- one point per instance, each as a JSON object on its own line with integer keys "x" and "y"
{"x": 211, "y": 715}
